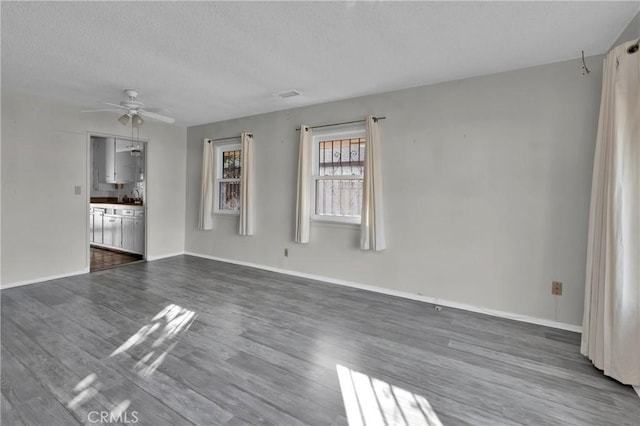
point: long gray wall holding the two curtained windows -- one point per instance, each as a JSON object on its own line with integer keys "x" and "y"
{"x": 487, "y": 184}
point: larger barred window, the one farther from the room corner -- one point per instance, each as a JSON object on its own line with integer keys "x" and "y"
{"x": 338, "y": 168}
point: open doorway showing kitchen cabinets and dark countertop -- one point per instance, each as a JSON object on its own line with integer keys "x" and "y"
{"x": 117, "y": 201}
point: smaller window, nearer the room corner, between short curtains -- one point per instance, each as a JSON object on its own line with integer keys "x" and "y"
{"x": 227, "y": 188}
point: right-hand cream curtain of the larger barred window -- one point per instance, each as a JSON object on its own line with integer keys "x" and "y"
{"x": 372, "y": 215}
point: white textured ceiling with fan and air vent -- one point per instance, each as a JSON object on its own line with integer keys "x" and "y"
{"x": 210, "y": 61}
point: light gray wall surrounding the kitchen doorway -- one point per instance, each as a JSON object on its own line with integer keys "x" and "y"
{"x": 44, "y": 155}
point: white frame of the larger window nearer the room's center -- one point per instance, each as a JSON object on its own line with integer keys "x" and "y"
{"x": 331, "y": 135}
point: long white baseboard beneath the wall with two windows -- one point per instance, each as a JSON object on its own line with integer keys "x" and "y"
{"x": 404, "y": 294}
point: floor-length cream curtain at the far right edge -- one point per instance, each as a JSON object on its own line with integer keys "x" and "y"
{"x": 611, "y": 323}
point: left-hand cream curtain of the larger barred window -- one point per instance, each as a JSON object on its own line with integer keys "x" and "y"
{"x": 303, "y": 201}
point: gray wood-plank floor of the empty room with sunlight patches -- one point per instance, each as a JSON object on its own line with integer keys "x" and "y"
{"x": 185, "y": 340}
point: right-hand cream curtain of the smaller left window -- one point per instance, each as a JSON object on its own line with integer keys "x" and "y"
{"x": 247, "y": 186}
